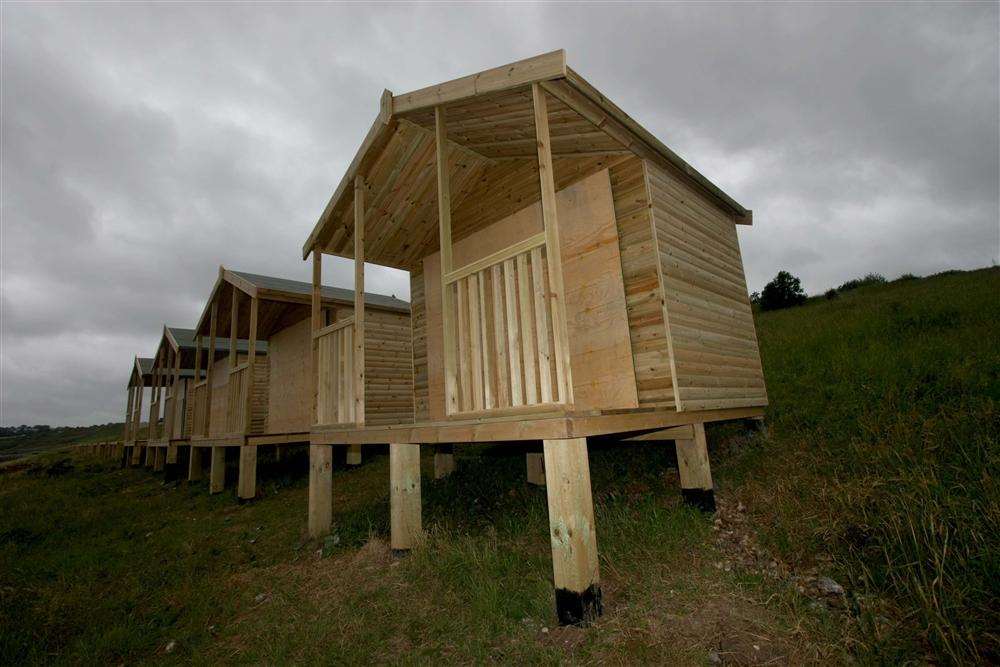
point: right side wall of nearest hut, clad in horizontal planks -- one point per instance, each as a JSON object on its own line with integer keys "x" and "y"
{"x": 709, "y": 321}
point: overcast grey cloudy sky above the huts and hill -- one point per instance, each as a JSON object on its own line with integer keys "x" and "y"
{"x": 143, "y": 145}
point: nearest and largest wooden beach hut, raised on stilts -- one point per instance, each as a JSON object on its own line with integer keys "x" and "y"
{"x": 571, "y": 276}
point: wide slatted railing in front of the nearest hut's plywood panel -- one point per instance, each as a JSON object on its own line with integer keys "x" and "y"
{"x": 505, "y": 350}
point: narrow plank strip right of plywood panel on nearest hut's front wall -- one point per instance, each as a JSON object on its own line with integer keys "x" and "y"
{"x": 647, "y": 333}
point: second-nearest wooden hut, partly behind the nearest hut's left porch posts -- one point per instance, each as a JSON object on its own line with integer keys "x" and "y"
{"x": 271, "y": 406}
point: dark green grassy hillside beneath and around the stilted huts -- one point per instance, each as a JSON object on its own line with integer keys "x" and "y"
{"x": 878, "y": 472}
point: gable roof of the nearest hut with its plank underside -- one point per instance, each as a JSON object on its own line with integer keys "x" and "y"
{"x": 489, "y": 119}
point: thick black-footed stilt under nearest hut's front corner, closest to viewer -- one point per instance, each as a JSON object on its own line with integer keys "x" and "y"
{"x": 572, "y": 531}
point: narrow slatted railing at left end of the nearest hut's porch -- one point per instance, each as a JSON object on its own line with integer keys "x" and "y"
{"x": 335, "y": 377}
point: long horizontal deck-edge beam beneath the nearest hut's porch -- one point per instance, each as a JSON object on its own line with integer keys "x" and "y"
{"x": 519, "y": 427}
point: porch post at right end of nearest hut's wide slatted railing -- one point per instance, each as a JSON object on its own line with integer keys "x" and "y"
{"x": 557, "y": 295}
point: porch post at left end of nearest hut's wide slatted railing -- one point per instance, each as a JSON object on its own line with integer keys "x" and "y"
{"x": 444, "y": 226}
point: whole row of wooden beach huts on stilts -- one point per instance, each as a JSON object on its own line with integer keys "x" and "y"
{"x": 570, "y": 277}
